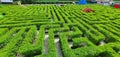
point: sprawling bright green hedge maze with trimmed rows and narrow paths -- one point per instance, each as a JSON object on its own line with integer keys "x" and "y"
{"x": 59, "y": 31}
